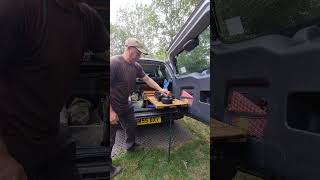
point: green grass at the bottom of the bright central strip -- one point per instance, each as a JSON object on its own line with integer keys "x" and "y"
{"x": 188, "y": 161}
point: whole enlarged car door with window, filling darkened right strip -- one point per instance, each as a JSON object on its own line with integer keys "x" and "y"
{"x": 266, "y": 77}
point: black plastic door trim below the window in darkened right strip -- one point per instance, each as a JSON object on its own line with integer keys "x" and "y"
{"x": 290, "y": 66}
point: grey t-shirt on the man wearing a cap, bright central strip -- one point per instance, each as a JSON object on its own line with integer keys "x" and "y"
{"x": 122, "y": 82}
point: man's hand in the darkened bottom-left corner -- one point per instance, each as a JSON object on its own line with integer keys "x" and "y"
{"x": 10, "y": 169}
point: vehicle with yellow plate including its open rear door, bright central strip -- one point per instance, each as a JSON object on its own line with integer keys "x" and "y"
{"x": 187, "y": 71}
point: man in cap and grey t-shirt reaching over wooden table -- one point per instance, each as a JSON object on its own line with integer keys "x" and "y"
{"x": 124, "y": 70}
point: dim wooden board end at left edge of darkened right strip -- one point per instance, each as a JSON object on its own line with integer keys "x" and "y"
{"x": 224, "y": 132}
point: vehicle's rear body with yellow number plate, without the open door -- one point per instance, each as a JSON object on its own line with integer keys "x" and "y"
{"x": 145, "y": 113}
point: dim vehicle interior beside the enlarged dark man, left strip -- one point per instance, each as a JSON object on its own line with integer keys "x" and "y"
{"x": 90, "y": 129}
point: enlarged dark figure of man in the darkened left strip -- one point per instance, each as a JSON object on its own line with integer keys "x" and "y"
{"x": 41, "y": 45}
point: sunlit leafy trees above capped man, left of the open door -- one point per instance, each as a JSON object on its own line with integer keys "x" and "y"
{"x": 155, "y": 24}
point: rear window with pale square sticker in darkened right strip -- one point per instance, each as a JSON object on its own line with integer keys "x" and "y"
{"x": 245, "y": 19}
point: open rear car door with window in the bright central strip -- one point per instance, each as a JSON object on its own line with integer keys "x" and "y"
{"x": 190, "y": 59}
